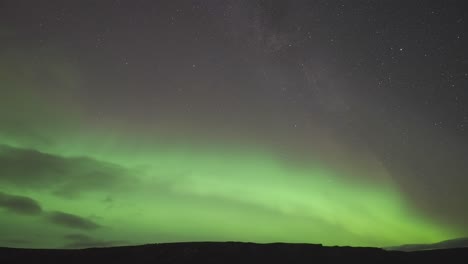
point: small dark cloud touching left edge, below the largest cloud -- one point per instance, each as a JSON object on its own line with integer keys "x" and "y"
{"x": 19, "y": 204}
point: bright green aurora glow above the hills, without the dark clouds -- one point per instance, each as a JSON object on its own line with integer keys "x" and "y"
{"x": 193, "y": 193}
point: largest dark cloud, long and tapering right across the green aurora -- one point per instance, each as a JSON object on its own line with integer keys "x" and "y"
{"x": 63, "y": 176}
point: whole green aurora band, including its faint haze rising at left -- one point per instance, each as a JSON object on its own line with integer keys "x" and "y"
{"x": 144, "y": 188}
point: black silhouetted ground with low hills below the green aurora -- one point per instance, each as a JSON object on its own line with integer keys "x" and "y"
{"x": 230, "y": 252}
